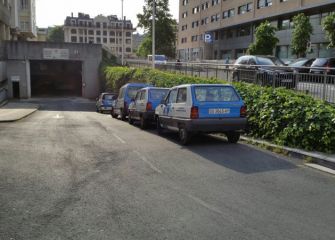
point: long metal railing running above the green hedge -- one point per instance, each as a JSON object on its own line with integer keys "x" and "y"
{"x": 317, "y": 82}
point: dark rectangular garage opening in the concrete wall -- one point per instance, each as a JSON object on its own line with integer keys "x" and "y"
{"x": 56, "y": 78}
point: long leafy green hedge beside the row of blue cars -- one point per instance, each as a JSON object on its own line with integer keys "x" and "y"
{"x": 278, "y": 115}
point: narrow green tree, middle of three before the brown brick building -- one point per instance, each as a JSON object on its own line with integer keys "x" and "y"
{"x": 301, "y": 35}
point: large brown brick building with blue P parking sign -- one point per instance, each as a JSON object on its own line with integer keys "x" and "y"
{"x": 222, "y": 29}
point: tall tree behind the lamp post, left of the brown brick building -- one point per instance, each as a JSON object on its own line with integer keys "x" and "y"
{"x": 165, "y": 29}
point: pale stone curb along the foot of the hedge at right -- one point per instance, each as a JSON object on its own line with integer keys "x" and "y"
{"x": 309, "y": 157}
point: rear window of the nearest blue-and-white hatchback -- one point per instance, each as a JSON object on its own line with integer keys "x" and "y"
{"x": 216, "y": 94}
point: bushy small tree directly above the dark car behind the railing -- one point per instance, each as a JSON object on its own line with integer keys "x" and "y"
{"x": 265, "y": 41}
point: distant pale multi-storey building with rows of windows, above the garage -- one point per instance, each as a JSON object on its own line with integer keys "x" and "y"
{"x": 101, "y": 30}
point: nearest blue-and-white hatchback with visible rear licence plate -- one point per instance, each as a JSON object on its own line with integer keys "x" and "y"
{"x": 202, "y": 108}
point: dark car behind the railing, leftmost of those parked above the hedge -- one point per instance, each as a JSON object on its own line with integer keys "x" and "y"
{"x": 262, "y": 70}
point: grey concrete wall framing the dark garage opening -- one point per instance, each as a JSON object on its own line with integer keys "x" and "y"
{"x": 19, "y": 54}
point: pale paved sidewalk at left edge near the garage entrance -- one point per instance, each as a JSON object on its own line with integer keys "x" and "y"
{"x": 14, "y": 111}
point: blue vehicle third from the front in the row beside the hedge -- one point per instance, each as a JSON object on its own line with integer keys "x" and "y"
{"x": 126, "y": 94}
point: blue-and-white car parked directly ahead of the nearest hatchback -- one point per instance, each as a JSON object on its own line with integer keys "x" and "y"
{"x": 142, "y": 108}
